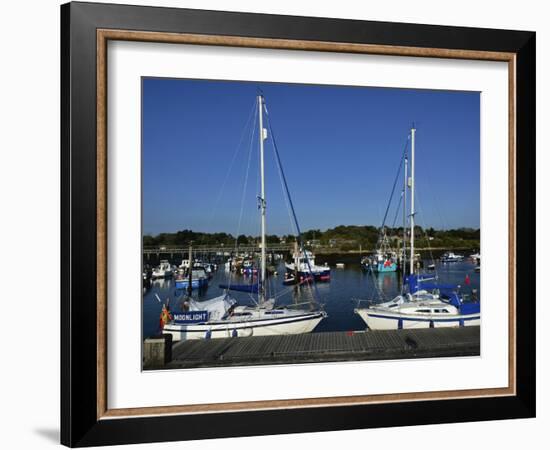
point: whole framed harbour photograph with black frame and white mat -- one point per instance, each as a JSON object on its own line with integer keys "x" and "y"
{"x": 275, "y": 224}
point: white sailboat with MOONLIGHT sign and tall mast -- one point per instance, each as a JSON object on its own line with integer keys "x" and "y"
{"x": 222, "y": 316}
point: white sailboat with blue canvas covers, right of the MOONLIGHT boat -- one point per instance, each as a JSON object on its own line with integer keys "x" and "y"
{"x": 426, "y": 304}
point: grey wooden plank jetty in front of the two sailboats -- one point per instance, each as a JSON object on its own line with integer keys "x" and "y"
{"x": 326, "y": 347}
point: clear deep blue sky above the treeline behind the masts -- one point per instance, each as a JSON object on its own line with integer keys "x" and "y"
{"x": 340, "y": 148}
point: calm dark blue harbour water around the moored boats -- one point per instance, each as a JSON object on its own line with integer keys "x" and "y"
{"x": 339, "y": 296}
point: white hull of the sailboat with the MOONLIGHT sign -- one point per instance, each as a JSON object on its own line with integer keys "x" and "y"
{"x": 296, "y": 324}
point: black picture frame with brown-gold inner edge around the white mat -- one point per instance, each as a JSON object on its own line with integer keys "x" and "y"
{"x": 85, "y": 417}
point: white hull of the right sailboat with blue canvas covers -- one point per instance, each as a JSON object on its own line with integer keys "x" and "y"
{"x": 383, "y": 320}
